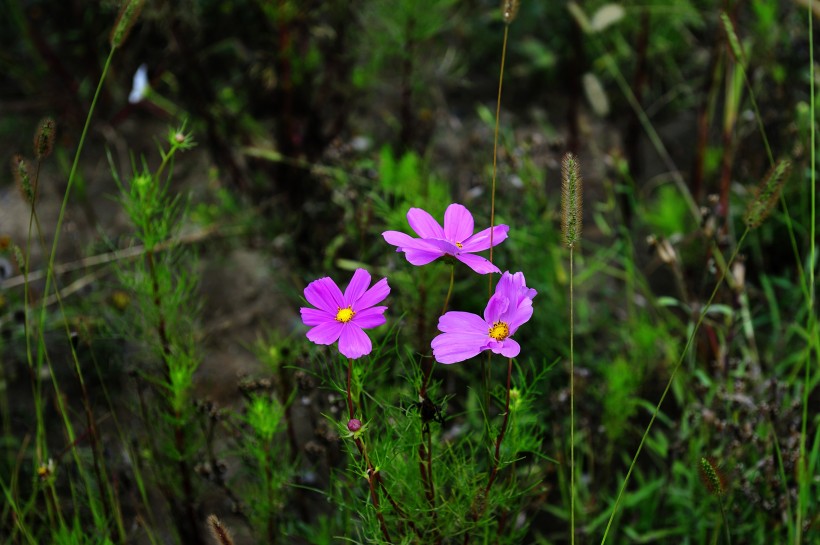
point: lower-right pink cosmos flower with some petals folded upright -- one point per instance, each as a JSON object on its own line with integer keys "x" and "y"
{"x": 464, "y": 335}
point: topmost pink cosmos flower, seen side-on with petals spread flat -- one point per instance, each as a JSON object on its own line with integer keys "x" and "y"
{"x": 455, "y": 239}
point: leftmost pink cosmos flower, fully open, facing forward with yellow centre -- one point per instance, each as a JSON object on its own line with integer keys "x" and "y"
{"x": 343, "y": 318}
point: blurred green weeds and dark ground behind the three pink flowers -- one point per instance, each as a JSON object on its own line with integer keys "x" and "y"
{"x": 319, "y": 124}
